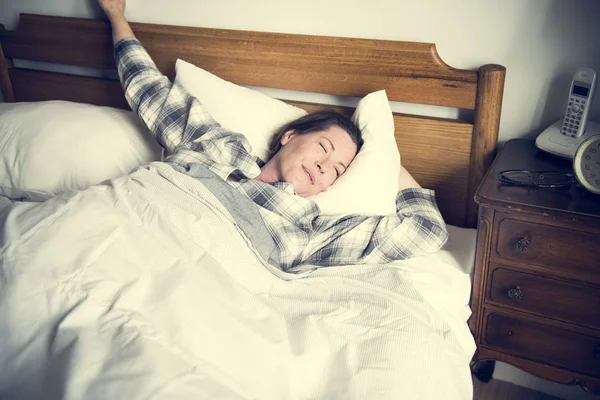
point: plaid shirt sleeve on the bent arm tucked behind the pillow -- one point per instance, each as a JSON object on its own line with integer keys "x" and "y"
{"x": 416, "y": 229}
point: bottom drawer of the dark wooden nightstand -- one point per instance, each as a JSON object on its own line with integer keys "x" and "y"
{"x": 545, "y": 344}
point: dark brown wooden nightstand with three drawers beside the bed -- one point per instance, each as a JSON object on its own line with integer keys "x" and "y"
{"x": 536, "y": 284}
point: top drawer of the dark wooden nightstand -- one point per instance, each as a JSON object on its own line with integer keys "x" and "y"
{"x": 548, "y": 246}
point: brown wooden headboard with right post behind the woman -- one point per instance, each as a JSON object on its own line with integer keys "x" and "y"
{"x": 449, "y": 156}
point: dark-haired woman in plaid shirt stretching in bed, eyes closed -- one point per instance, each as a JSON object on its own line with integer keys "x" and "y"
{"x": 308, "y": 155}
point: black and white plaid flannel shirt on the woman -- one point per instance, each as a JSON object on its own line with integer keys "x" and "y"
{"x": 190, "y": 135}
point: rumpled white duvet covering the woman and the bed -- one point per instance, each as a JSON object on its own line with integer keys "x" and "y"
{"x": 144, "y": 288}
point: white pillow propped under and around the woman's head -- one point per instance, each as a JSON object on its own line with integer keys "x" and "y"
{"x": 371, "y": 183}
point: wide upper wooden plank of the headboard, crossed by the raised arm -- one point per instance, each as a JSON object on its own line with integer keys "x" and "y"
{"x": 410, "y": 72}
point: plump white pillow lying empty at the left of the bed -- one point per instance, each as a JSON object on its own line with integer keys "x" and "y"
{"x": 48, "y": 147}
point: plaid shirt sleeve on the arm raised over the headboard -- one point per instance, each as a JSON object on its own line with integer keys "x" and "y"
{"x": 175, "y": 118}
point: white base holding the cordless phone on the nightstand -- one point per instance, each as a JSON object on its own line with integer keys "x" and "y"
{"x": 554, "y": 142}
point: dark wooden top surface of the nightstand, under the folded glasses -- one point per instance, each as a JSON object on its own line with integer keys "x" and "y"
{"x": 522, "y": 154}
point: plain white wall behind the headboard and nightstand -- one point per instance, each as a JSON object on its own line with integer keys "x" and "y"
{"x": 541, "y": 43}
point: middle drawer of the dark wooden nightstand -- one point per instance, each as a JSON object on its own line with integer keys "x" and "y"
{"x": 548, "y": 297}
